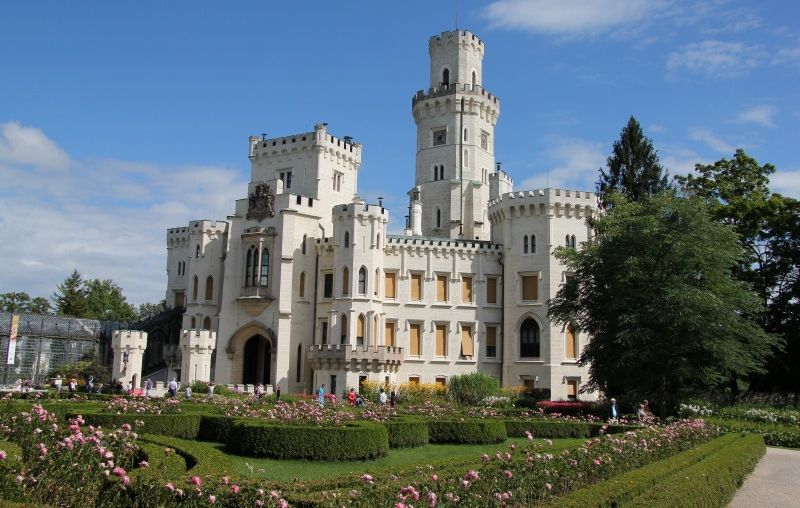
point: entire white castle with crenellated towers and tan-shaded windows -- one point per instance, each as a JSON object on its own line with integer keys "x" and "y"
{"x": 303, "y": 284}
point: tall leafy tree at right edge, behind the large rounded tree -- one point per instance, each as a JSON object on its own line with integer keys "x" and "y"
{"x": 768, "y": 224}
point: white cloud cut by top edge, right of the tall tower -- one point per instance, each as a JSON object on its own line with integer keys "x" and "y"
{"x": 573, "y": 18}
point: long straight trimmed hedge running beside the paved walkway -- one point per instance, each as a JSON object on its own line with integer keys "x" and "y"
{"x": 707, "y": 475}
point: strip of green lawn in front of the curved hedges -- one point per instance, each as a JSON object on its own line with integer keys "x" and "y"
{"x": 288, "y": 470}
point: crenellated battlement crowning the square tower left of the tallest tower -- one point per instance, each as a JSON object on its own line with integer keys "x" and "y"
{"x": 261, "y": 146}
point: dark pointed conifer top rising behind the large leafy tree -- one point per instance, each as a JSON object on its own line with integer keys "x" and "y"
{"x": 633, "y": 167}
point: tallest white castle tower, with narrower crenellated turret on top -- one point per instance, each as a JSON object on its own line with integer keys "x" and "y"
{"x": 455, "y": 121}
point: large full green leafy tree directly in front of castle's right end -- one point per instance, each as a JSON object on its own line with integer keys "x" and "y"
{"x": 655, "y": 292}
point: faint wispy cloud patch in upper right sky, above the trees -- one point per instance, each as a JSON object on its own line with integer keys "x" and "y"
{"x": 715, "y": 59}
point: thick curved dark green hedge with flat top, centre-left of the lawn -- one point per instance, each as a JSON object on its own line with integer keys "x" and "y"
{"x": 353, "y": 441}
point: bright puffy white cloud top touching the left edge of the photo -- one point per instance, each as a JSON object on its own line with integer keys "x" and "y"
{"x": 29, "y": 146}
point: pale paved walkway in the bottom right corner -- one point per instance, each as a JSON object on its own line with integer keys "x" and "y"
{"x": 775, "y": 482}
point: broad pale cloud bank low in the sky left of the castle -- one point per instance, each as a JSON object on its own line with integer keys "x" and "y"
{"x": 107, "y": 218}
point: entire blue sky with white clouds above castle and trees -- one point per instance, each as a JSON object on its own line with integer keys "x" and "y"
{"x": 118, "y": 120}
